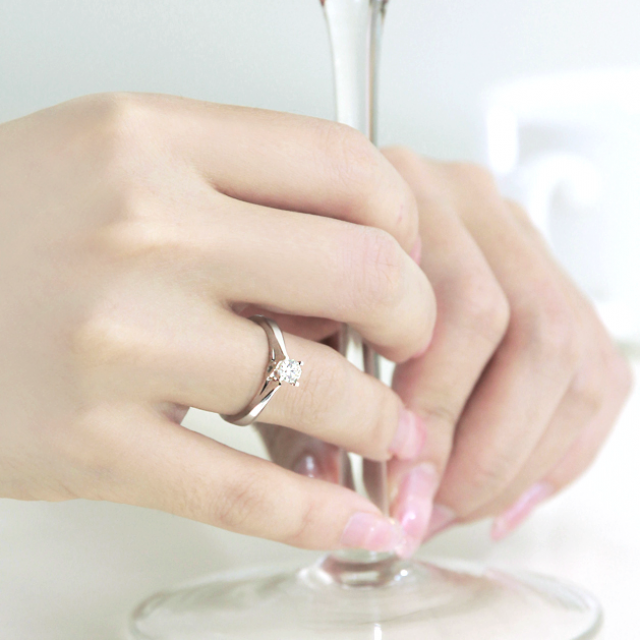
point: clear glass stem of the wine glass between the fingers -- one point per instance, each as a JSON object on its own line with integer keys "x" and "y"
{"x": 355, "y": 28}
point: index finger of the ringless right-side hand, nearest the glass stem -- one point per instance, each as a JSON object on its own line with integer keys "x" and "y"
{"x": 471, "y": 320}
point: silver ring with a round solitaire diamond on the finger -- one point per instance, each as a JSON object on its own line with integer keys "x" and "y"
{"x": 280, "y": 368}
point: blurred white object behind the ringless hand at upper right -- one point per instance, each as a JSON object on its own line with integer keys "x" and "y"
{"x": 567, "y": 146}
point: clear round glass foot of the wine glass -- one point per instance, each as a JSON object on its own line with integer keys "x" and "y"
{"x": 383, "y": 599}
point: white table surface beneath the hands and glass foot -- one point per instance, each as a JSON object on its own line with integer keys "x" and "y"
{"x": 74, "y": 571}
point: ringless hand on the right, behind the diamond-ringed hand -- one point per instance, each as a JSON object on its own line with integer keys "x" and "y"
{"x": 521, "y": 383}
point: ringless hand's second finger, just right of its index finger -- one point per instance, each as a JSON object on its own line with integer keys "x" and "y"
{"x": 533, "y": 367}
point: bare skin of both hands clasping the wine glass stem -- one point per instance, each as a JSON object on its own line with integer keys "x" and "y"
{"x": 140, "y": 231}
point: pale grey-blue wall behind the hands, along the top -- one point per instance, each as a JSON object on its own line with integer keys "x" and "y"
{"x": 438, "y": 55}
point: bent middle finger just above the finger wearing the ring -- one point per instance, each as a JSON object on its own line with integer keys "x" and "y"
{"x": 312, "y": 266}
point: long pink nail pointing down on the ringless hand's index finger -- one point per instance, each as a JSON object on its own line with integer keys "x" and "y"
{"x": 413, "y": 506}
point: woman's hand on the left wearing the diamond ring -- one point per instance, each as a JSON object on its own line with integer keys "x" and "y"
{"x": 137, "y": 231}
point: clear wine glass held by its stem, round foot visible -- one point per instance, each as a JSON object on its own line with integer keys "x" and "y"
{"x": 360, "y": 595}
